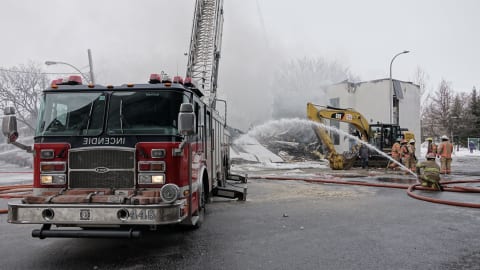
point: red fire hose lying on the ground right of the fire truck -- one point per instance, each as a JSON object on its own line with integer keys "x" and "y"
{"x": 410, "y": 188}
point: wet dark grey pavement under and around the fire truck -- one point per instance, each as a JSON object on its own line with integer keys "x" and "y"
{"x": 286, "y": 225}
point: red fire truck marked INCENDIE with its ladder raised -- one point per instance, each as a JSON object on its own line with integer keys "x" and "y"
{"x": 111, "y": 161}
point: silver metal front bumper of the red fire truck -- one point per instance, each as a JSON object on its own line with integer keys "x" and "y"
{"x": 97, "y": 214}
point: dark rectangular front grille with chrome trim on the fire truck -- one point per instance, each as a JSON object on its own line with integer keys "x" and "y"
{"x": 102, "y": 168}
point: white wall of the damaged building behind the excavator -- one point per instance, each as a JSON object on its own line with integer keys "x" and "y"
{"x": 372, "y": 100}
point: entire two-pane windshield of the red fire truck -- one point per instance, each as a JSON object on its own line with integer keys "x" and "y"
{"x": 83, "y": 113}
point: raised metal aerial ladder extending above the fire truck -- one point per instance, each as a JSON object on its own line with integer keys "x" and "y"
{"x": 205, "y": 46}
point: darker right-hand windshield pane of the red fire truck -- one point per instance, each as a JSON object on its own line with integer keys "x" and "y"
{"x": 145, "y": 112}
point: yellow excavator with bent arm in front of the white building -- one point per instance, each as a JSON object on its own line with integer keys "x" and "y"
{"x": 382, "y": 136}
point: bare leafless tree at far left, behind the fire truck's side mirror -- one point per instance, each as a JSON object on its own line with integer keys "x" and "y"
{"x": 20, "y": 87}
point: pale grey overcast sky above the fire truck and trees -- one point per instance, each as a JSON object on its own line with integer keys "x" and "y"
{"x": 131, "y": 39}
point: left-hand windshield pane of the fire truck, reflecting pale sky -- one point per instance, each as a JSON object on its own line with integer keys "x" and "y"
{"x": 71, "y": 114}
